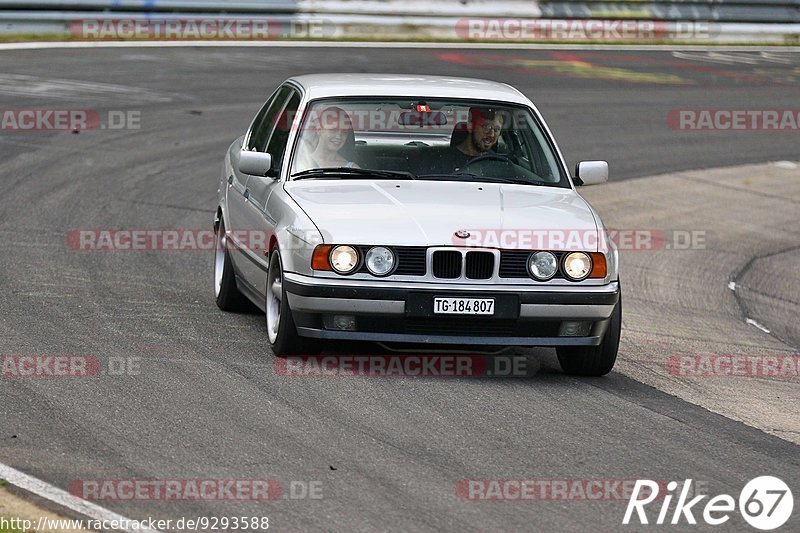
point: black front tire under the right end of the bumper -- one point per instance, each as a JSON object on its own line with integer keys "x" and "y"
{"x": 594, "y": 360}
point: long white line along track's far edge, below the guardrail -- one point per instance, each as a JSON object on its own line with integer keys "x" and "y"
{"x": 389, "y": 44}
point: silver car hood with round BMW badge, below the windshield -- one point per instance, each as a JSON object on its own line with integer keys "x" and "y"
{"x": 402, "y": 212}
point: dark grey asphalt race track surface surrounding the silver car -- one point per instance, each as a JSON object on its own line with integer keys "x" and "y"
{"x": 388, "y": 454}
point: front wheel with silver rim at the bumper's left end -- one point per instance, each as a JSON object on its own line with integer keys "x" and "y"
{"x": 281, "y": 330}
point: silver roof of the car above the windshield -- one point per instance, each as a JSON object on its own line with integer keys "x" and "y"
{"x": 338, "y": 85}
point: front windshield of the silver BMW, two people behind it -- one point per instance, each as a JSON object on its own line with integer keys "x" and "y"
{"x": 424, "y": 139}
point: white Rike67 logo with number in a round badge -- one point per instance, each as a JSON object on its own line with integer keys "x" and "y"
{"x": 765, "y": 503}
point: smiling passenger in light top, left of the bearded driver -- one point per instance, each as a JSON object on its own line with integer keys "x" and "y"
{"x": 334, "y": 134}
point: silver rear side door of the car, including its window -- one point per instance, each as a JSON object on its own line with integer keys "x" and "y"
{"x": 239, "y": 222}
